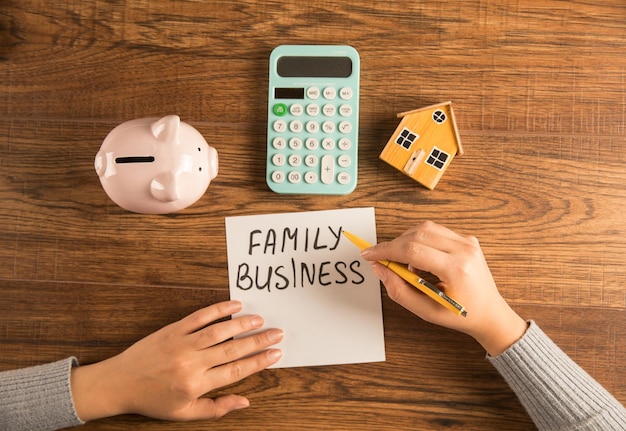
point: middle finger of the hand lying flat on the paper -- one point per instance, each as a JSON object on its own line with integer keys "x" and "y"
{"x": 242, "y": 347}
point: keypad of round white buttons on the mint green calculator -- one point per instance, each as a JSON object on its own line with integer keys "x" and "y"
{"x": 313, "y": 141}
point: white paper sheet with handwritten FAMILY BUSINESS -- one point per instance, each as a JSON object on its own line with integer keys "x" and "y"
{"x": 302, "y": 275}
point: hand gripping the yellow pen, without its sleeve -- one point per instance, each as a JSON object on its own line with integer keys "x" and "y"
{"x": 458, "y": 261}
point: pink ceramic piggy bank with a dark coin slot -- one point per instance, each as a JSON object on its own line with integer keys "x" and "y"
{"x": 155, "y": 166}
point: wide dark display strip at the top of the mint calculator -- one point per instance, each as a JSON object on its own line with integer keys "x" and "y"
{"x": 314, "y": 67}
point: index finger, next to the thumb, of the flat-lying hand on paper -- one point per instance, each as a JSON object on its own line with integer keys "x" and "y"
{"x": 234, "y": 371}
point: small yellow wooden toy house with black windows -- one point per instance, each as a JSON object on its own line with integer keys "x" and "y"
{"x": 424, "y": 143}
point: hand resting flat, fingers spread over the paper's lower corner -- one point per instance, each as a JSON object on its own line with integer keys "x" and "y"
{"x": 166, "y": 374}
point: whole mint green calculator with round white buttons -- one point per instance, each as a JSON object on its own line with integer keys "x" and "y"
{"x": 313, "y": 119}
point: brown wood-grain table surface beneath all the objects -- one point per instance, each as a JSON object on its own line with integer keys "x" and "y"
{"x": 539, "y": 90}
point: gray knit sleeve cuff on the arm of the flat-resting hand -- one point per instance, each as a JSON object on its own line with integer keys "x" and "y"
{"x": 38, "y": 398}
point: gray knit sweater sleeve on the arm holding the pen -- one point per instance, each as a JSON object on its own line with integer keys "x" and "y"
{"x": 556, "y": 392}
